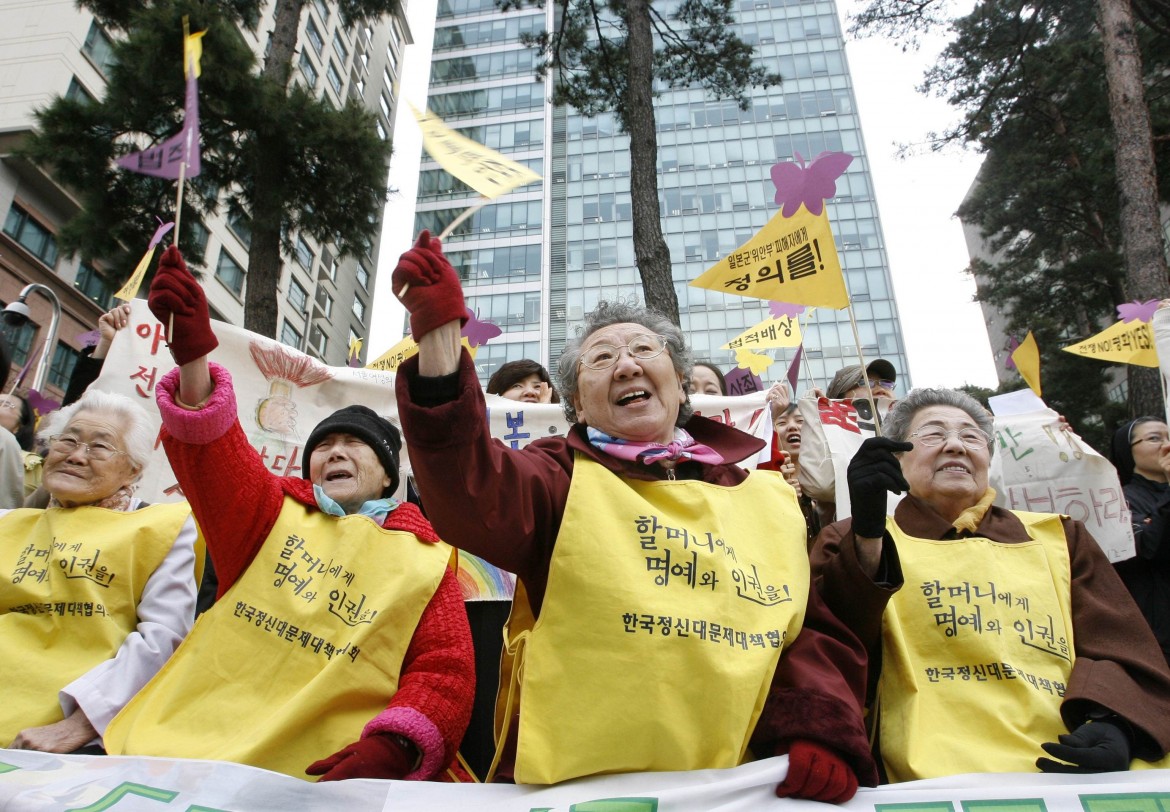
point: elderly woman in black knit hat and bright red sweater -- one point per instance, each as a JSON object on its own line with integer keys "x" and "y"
{"x": 339, "y": 645}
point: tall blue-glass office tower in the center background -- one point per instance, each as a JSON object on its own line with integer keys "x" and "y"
{"x": 536, "y": 260}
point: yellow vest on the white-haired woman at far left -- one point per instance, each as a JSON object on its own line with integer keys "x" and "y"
{"x": 71, "y": 581}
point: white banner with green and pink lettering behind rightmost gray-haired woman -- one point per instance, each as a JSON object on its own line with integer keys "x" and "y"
{"x": 1041, "y": 465}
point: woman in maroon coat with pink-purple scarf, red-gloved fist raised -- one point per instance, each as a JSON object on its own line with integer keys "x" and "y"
{"x": 663, "y": 580}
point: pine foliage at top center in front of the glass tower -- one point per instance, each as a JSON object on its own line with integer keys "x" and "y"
{"x": 589, "y": 60}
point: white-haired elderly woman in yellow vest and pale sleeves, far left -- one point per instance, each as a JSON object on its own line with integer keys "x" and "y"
{"x": 98, "y": 590}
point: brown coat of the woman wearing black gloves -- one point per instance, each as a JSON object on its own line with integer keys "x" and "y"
{"x": 1119, "y": 664}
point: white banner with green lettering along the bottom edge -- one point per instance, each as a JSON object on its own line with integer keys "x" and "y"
{"x": 37, "y": 782}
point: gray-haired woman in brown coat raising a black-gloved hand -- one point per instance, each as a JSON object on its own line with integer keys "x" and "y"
{"x": 1013, "y": 641}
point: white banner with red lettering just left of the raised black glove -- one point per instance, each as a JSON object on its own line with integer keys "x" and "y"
{"x": 834, "y": 432}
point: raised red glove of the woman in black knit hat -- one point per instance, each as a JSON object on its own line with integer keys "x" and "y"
{"x": 176, "y": 293}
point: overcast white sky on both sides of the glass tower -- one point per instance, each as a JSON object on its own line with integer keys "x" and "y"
{"x": 945, "y": 334}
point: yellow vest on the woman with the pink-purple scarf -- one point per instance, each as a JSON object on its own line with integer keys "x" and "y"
{"x": 667, "y": 607}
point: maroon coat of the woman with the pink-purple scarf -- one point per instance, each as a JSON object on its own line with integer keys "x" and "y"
{"x": 506, "y": 506}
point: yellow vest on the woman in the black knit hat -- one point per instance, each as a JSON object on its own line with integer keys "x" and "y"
{"x": 298, "y": 656}
